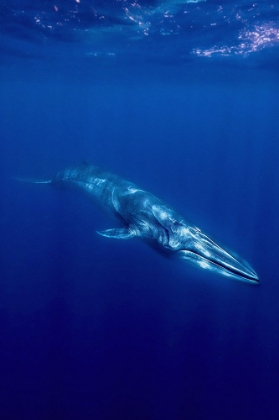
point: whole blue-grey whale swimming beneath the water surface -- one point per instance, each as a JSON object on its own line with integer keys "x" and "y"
{"x": 145, "y": 216}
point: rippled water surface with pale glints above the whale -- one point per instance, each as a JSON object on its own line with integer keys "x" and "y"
{"x": 170, "y": 31}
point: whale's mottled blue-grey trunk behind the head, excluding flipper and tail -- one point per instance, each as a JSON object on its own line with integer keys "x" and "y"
{"x": 140, "y": 211}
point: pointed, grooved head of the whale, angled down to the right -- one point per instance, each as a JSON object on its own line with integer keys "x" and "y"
{"x": 194, "y": 246}
